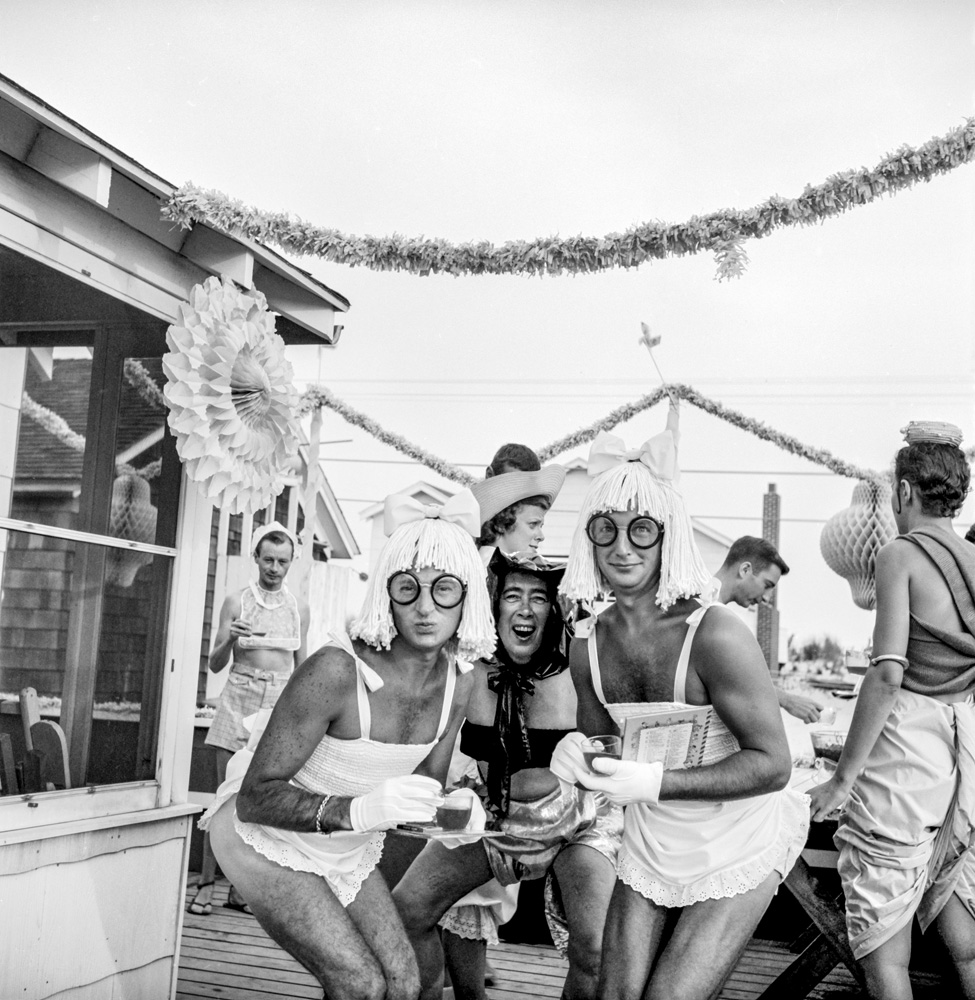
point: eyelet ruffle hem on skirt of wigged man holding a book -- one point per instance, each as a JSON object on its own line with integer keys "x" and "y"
{"x": 779, "y": 856}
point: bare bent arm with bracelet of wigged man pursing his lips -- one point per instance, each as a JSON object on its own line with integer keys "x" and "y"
{"x": 310, "y": 703}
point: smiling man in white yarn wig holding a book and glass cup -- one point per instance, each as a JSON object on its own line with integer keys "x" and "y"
{"x": 703, "y": 874}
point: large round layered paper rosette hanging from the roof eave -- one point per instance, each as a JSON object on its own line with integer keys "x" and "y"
{"x": 231, "y": 396}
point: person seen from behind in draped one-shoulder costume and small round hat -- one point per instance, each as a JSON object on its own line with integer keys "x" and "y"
{"x": 906, "y": 777}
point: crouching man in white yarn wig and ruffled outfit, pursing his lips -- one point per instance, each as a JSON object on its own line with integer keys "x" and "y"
{"x": 359, "y": 742}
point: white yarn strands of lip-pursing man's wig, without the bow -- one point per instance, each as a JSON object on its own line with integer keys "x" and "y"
{"x": 430, "y": 543}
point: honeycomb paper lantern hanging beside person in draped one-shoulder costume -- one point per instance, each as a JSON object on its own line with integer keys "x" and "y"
{"x": 851, "y": 539}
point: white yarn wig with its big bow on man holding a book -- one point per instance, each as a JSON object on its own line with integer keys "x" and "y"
{"x": 643, "y": 481}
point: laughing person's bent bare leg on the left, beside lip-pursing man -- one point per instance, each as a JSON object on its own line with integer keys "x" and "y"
{"x": 432, "y": 884}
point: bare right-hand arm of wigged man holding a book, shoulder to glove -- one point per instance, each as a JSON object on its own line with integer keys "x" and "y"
{"x": 730, "y": 665}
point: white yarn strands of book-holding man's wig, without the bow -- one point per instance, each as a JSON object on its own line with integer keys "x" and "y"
{"x": 631, "y": 486}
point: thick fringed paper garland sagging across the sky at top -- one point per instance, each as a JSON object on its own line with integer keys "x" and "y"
{"x": 722, "y": 232}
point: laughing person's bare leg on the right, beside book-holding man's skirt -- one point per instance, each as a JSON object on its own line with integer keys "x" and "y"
{"x": 586, "y": 882}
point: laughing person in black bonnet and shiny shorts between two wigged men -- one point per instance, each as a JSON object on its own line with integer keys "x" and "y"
{"x": 522, "y": 704}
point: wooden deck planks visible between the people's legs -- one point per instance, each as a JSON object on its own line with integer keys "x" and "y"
{"x": 228, "y": 955}
